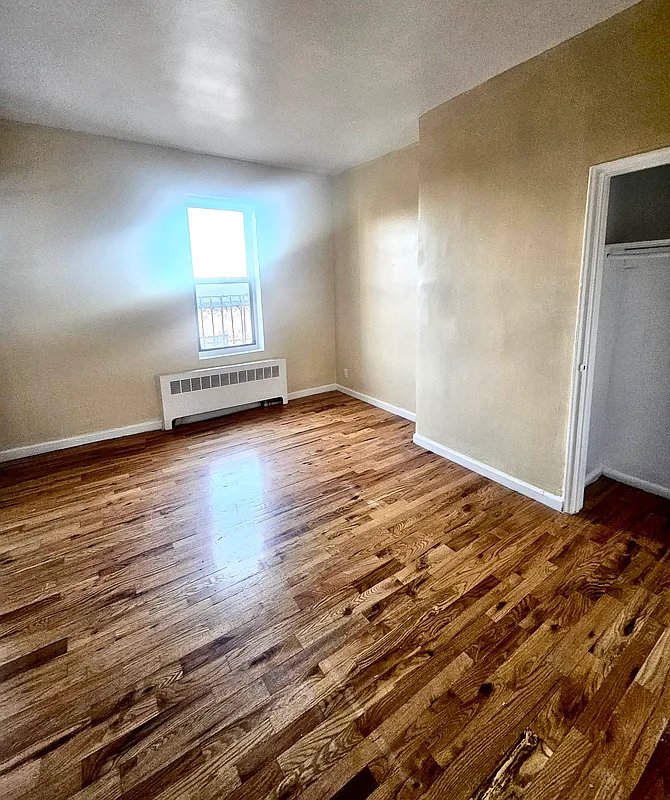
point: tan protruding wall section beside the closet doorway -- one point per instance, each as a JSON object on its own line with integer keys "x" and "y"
{"x": 503, "y": 179}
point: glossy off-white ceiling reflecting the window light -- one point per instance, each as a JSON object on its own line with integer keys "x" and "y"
{"x": 317, "y": 84}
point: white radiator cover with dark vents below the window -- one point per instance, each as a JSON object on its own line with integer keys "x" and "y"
{"x": 215, "y": 388}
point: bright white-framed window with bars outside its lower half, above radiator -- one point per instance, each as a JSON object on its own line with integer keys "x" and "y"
{"x": 225, "y": 272}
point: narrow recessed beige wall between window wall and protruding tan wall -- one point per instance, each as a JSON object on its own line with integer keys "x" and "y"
{"x": 375, "y": 249}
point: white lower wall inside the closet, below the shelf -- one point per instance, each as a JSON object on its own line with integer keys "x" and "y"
{"x": 630, "y": 429}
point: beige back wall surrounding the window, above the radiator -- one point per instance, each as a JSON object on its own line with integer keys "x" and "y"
{"x": 95, "y": 290}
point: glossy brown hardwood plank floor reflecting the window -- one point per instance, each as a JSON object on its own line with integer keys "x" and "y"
{"x": 300, "y": 602}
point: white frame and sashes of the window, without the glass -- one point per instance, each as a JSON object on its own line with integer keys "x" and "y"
{"x": 252, "y": 278}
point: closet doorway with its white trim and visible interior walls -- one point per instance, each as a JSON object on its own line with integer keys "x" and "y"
{"x": 619, "y": 422}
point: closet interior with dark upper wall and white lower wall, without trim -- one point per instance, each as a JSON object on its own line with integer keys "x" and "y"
{"x": 629, "y": 434}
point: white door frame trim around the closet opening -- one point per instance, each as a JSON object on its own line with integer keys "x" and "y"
{"x": 590, "y": 286}
